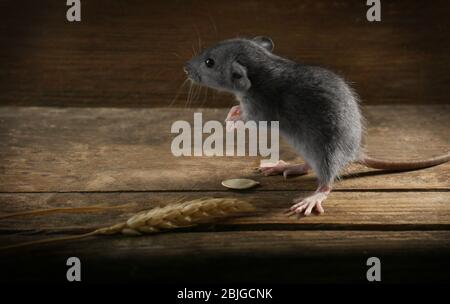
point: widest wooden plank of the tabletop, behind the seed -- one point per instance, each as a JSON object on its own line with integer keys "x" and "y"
{"x": 105, "y": 149}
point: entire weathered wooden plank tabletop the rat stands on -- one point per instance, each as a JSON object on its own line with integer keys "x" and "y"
{"x": 66, "y": 157}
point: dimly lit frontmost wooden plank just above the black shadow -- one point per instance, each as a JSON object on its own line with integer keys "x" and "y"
{"x": 207, "y": 244}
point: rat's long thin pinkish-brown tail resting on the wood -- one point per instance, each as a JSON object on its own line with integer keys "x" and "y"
{"x": 376, "y": 163}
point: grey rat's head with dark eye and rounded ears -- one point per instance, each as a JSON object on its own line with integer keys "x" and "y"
{"x": 222, "y": 66}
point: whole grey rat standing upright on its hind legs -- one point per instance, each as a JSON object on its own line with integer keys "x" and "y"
{"x": 317, "y": 110}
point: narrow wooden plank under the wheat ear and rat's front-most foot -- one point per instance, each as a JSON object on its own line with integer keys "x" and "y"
{"x": 344, "y": 210}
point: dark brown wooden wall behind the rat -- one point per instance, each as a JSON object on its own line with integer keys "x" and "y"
{"x": 130, "y": 53}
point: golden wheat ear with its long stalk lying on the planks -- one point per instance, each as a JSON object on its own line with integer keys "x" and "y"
{"x": 177, "y": 215}
